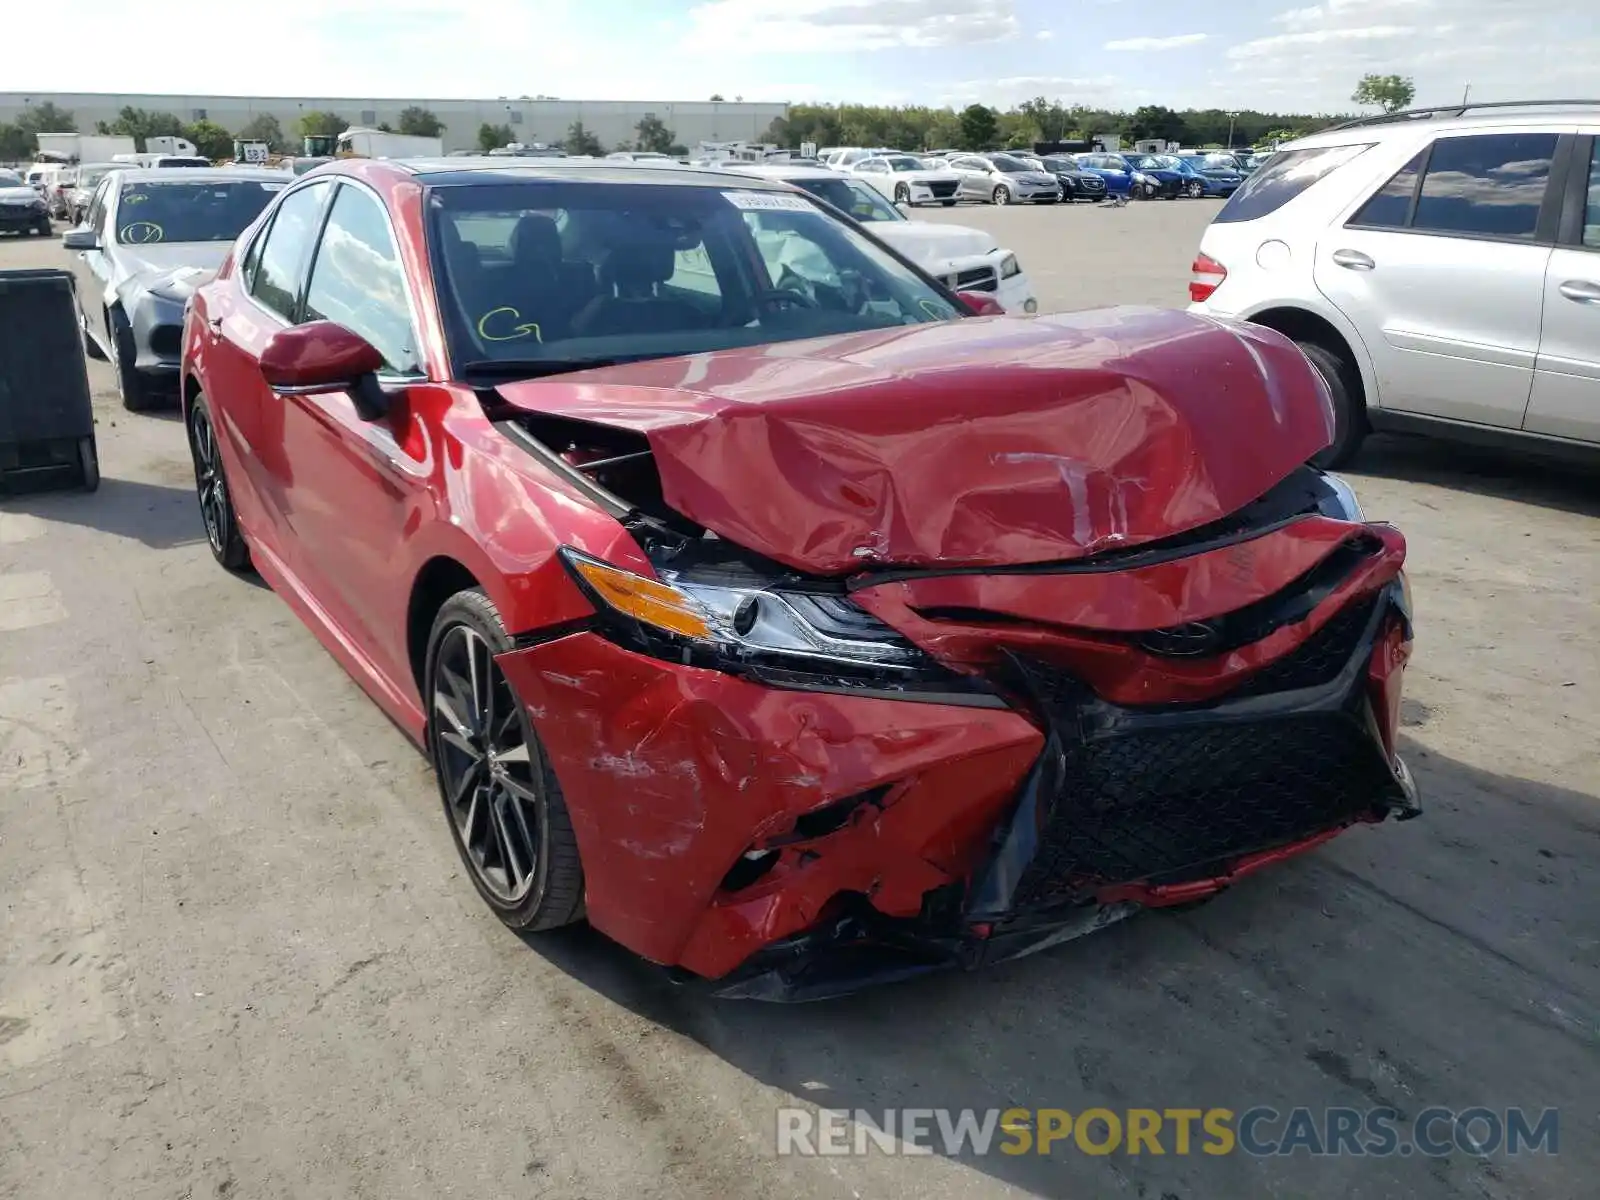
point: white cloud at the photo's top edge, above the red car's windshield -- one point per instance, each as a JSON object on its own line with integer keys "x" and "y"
{"x": 798, "y": 26}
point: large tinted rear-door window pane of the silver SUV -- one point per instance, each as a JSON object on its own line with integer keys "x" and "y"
{"x": 1489, "y": 185}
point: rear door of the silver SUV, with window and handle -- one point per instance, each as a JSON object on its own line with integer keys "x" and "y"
{"x": 1442, "y": 271}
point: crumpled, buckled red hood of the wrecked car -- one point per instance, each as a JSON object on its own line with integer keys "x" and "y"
{"x": 977, "y": 442}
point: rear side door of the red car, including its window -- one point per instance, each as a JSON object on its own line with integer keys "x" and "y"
{"x": 263, "y": 298}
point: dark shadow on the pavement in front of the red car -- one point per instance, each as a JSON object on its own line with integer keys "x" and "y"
{"x": 1460, "y": 950}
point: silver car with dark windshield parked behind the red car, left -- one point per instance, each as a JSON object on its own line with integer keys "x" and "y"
{"x": 148, "y": 241}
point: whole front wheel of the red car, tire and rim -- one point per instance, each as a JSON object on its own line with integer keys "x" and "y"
{"x": 502, "y": 799}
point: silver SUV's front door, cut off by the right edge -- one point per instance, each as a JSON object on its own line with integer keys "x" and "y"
{"x": 1567, "y": 375}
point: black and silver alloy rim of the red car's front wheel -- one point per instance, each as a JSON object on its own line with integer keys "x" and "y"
{"x": 487, "y": 767}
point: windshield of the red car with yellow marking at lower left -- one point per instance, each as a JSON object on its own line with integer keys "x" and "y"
{"x": 564, "y": 274}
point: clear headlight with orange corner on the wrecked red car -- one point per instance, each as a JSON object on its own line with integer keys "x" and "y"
{"x": 774, "y": 636}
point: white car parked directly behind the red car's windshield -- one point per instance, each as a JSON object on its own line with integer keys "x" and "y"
{"x": 964, "y": 260}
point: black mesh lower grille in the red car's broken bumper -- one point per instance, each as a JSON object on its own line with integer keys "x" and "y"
{"x": 1169, "y": 806}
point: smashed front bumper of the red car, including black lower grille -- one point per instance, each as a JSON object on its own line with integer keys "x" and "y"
{"x": 793, "y": 846}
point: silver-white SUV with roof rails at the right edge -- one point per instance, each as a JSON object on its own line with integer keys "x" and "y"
{"x": 1439, "y": 268}
